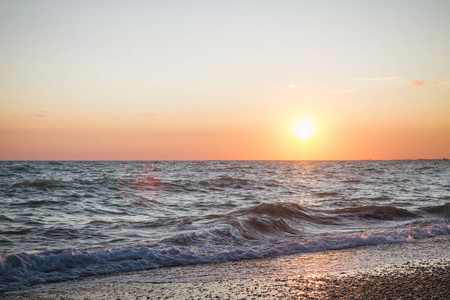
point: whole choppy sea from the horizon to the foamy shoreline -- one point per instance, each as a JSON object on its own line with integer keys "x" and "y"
{"x": 65, "y": 220}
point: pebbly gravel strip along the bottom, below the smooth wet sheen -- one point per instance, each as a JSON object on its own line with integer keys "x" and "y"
{"x": 426, "y": 280}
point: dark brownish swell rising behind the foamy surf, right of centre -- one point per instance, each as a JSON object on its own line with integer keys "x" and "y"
{"x": 280, "y": 220}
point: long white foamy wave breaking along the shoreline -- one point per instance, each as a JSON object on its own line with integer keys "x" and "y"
{"x": 23, "y": 269}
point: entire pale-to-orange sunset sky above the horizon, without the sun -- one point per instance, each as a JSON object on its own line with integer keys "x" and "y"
{"x": 224, "y": 80}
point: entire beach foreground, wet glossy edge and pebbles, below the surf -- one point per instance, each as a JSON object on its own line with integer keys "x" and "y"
{"x": 419, "y": 270}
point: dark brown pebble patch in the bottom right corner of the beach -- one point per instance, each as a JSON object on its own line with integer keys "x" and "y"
{"x": 400, "y": 282}
